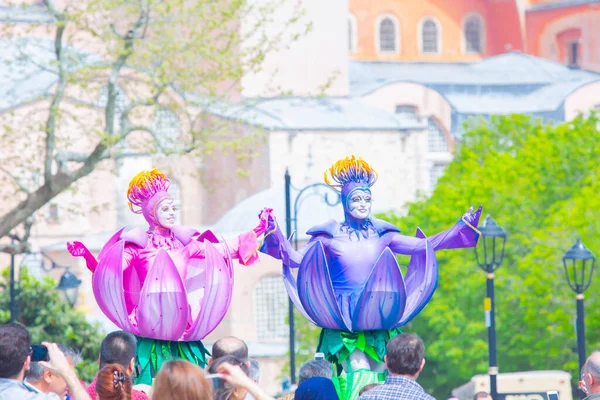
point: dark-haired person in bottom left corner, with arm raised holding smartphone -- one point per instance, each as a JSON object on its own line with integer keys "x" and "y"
{"x": 15, "y": 359}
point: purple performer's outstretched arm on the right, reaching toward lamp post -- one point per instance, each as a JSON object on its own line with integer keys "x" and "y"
{"x": 463, "y": 234}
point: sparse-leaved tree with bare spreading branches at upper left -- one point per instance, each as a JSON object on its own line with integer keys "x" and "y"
{"x": 115, "y": 68}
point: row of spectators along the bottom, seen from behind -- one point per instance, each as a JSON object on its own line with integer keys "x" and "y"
{"x": 231, "y": 374}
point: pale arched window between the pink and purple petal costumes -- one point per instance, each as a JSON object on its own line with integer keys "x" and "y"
{"x": 271, "y": 305}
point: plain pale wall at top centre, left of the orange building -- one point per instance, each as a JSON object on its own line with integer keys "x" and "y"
{"x": 317, "y": 62}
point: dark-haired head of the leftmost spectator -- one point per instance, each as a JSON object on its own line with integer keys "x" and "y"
{"x": 15, "y": 351}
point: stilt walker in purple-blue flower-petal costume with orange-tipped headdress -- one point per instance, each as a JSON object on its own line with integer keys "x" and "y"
{"x": 349, "y": 282}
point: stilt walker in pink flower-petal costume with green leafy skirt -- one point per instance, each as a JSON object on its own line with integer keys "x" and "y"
{"x": 170, "y": 285}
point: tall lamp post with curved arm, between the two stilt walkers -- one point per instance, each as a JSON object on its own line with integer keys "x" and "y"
{"x": 291, "y": 216}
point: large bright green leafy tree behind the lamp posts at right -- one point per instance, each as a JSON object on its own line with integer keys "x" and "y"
{"x": 540, "y": 183}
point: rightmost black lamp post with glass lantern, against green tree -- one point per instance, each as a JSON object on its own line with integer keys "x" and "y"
{"x": 579, "y": 267}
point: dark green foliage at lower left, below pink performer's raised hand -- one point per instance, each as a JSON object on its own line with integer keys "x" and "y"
{"x": 48, "y": 317}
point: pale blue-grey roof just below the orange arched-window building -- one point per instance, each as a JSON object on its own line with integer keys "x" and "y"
{"x": 508, "y": 83}
